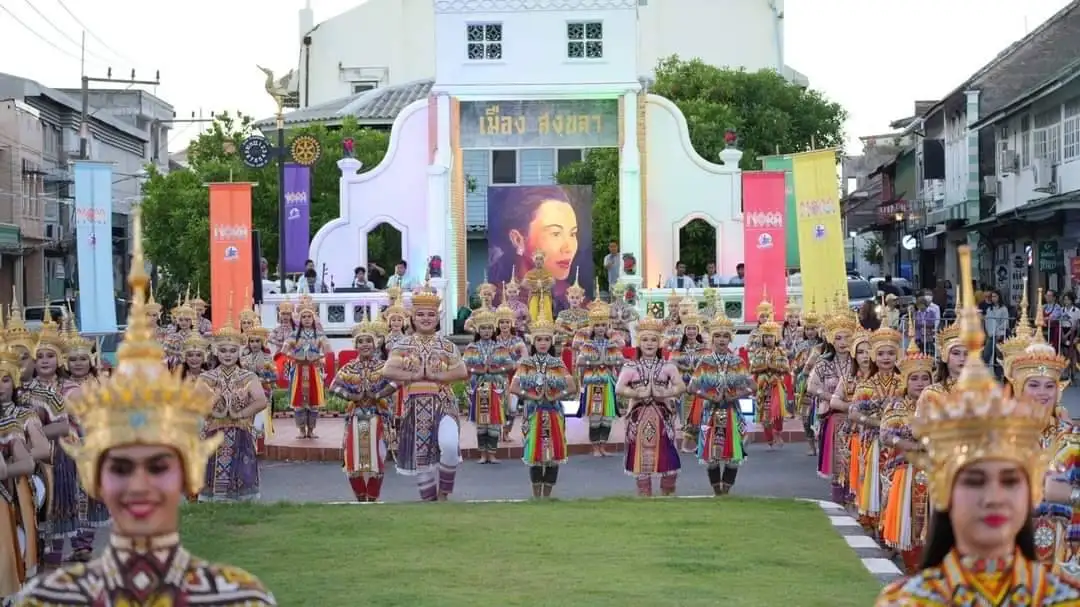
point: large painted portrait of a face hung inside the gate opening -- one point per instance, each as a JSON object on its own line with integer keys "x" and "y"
{"x": 556, "y": 220}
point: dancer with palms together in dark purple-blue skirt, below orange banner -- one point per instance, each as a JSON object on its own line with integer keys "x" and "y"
{"x": 233, "y": 470}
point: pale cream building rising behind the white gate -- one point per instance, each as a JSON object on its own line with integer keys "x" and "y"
{"x": 389, "y": 43}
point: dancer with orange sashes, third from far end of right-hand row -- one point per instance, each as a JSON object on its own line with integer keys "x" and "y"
{"x": 872, "y": 397}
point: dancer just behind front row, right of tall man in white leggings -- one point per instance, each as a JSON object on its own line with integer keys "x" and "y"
{"x": 489, "y": 365}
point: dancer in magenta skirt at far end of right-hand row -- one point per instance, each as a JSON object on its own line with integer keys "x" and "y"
{"x": 835, "y": 366}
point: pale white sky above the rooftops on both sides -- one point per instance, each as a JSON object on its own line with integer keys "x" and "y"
{"x": 873, "y": 57}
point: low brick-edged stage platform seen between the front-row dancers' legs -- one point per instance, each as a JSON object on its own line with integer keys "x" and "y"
{"x": 288, "y": 447}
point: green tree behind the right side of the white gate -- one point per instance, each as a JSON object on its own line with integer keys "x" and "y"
{"x": 768, "y": 114}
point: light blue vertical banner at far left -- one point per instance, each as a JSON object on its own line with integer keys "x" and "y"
{"x": 93, "y": 233}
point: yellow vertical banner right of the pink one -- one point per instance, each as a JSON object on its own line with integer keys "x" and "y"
{"x": 821, "y": 230}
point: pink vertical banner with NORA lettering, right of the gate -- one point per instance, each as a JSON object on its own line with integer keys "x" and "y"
{"x": 764, "y": 247}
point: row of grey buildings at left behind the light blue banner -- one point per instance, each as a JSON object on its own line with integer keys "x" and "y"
{"x": 126, "y": 128}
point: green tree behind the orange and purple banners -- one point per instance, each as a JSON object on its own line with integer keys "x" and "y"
{"x": 177, "y": 207}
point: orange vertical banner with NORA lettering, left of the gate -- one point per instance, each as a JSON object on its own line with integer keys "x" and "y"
{"x": 231, "y": 250}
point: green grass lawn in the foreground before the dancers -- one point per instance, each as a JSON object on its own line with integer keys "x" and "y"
{"x": 618, "y": 552}
